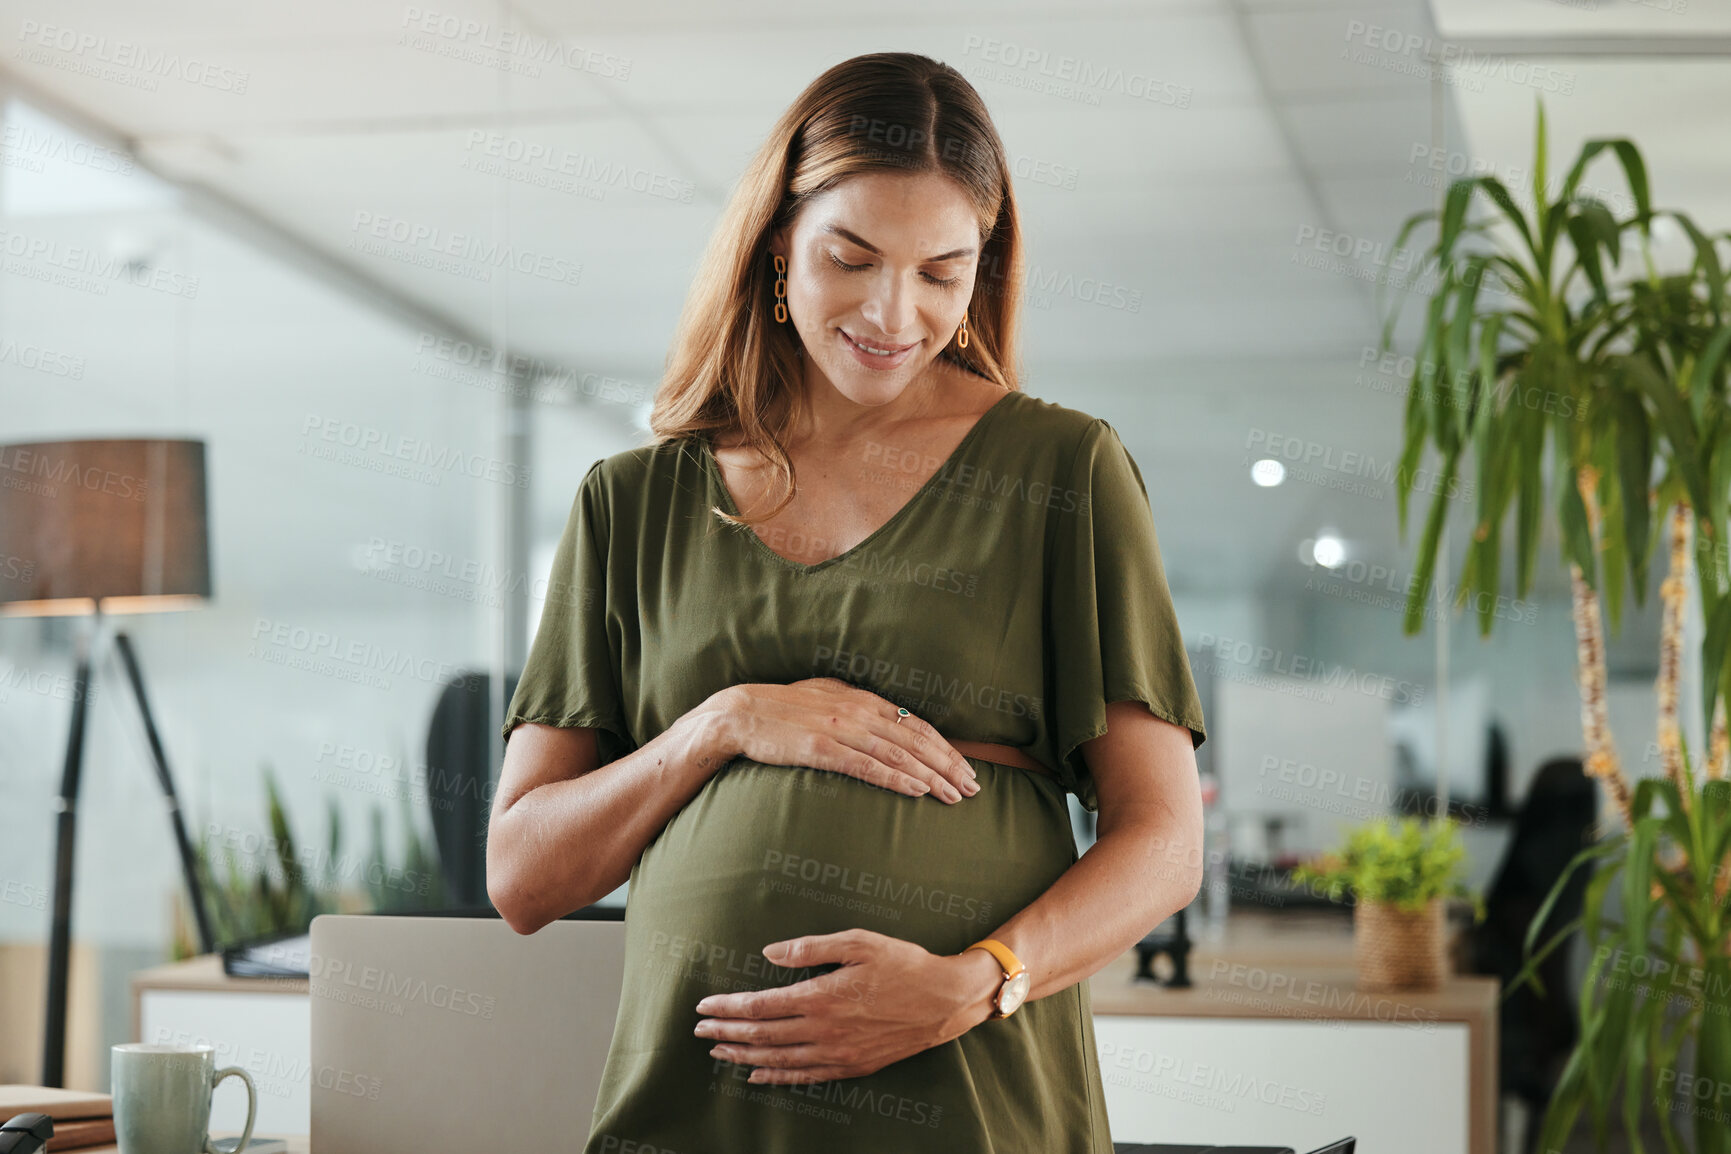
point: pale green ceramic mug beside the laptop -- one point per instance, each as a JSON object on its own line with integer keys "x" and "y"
{"x": 164, "y": 1098}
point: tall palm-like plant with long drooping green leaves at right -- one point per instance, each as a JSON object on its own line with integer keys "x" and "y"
{"x": 1630, "y": 376}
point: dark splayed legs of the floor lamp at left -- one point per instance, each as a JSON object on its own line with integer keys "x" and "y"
{"x": 67, "y": 830}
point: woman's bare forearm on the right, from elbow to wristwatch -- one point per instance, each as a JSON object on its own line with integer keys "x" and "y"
{"x": 1140, "y": 871}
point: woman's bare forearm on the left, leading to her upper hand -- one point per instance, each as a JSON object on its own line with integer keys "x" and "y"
{"x": 567, "y": 843}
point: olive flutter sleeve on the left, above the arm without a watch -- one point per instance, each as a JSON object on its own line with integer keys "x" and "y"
{"x": 572, "y": 674}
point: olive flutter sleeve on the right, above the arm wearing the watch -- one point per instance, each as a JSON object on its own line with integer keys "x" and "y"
{"x": 1114, "y": 632}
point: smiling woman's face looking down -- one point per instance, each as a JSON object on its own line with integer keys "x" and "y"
{"x": 885, "y": 262}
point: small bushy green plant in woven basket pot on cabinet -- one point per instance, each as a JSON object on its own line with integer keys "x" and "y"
{"x": 1400, "y": 875}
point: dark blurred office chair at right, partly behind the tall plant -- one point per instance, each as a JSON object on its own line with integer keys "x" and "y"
{"x": 1536, "y": 1034}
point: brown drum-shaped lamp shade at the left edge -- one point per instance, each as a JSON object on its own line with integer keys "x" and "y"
{"x": 119, "y": 522}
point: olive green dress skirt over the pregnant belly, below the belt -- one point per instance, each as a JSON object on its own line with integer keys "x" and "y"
{"x": 768, "y": 852}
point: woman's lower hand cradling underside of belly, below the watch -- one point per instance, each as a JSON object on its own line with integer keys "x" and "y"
{"x": 889, "y": 1001}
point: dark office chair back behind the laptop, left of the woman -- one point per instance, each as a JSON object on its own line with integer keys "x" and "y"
{"x": 461, "y": 785}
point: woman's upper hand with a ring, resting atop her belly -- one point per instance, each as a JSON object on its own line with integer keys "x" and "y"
{"x": 828, "y": 724}
